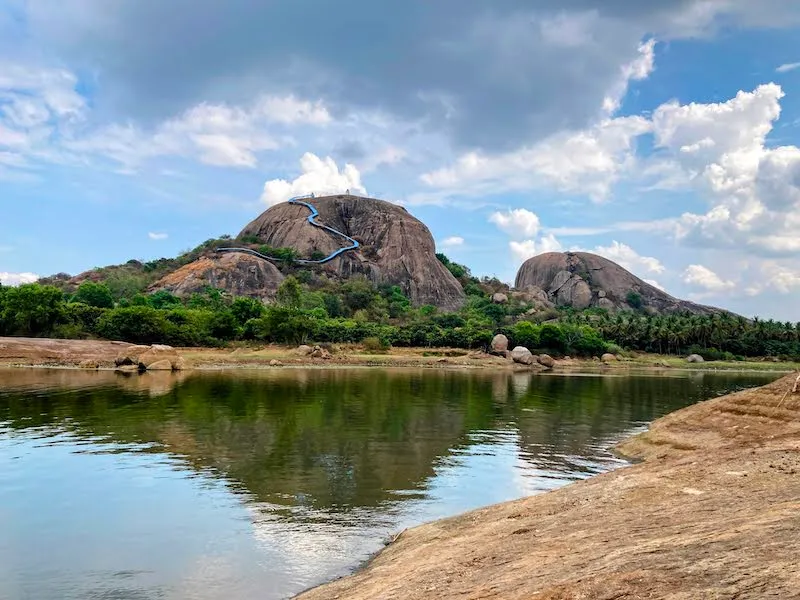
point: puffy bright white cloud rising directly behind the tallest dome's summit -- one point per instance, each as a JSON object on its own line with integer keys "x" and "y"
{"x": 319, "y": 176}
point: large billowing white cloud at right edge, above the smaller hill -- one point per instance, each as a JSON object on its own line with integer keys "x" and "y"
{"x": 753, "y": 187}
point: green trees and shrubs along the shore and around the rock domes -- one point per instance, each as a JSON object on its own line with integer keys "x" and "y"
{"x": 312, "y": 308}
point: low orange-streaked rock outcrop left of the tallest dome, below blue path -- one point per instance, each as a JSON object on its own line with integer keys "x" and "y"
{"x": 237, "y": 274}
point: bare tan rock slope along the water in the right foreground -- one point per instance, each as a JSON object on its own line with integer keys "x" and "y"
{"x": 712, "y": 512}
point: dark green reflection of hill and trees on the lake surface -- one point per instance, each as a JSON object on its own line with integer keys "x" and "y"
{"x": 343, "y": 439}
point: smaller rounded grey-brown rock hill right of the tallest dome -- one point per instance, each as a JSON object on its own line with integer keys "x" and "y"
{"x": 581, "y": 280}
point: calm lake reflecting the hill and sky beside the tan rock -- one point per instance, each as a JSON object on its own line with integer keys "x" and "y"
{"x": 256, "y": 485}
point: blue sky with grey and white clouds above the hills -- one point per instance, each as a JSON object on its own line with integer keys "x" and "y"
{"x": 662, "y": 135}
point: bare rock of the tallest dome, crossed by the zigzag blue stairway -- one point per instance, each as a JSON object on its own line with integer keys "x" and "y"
{"x": 395, "y": 248}
